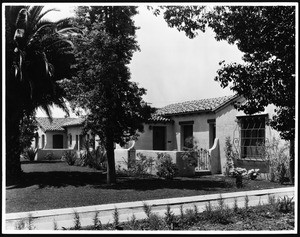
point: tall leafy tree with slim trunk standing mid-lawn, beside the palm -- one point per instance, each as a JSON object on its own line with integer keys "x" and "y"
{"x": 102, "y": 86}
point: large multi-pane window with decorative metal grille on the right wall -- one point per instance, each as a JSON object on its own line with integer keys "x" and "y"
{"x": 252, "y": 136}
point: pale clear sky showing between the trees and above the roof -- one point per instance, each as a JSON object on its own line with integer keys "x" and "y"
{"x": 170, "y": 66}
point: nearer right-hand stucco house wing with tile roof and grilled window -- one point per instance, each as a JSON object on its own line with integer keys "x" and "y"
{"x": 208, "y": 122}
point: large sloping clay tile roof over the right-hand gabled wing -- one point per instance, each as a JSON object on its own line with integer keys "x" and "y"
{"x": 194, "y": 106}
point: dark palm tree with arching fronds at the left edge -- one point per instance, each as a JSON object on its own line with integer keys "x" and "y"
{"x": 39, "y": 53}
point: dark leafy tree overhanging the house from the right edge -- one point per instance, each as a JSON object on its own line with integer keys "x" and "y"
{"x": 266, "y": 36}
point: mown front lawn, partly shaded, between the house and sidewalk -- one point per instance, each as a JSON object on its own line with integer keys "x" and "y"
{"x": 49, "y": 185}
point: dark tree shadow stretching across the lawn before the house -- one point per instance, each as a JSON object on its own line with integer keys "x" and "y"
{"x": 97, "y": 180}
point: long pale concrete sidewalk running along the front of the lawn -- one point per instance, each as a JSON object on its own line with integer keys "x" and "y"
{"x": 44, "y": 220}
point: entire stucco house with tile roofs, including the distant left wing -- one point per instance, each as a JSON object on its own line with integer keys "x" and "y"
{"x": 207, "y": 122}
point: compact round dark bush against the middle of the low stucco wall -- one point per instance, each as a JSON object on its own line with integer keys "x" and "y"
{"x": 165, "y": 167}
